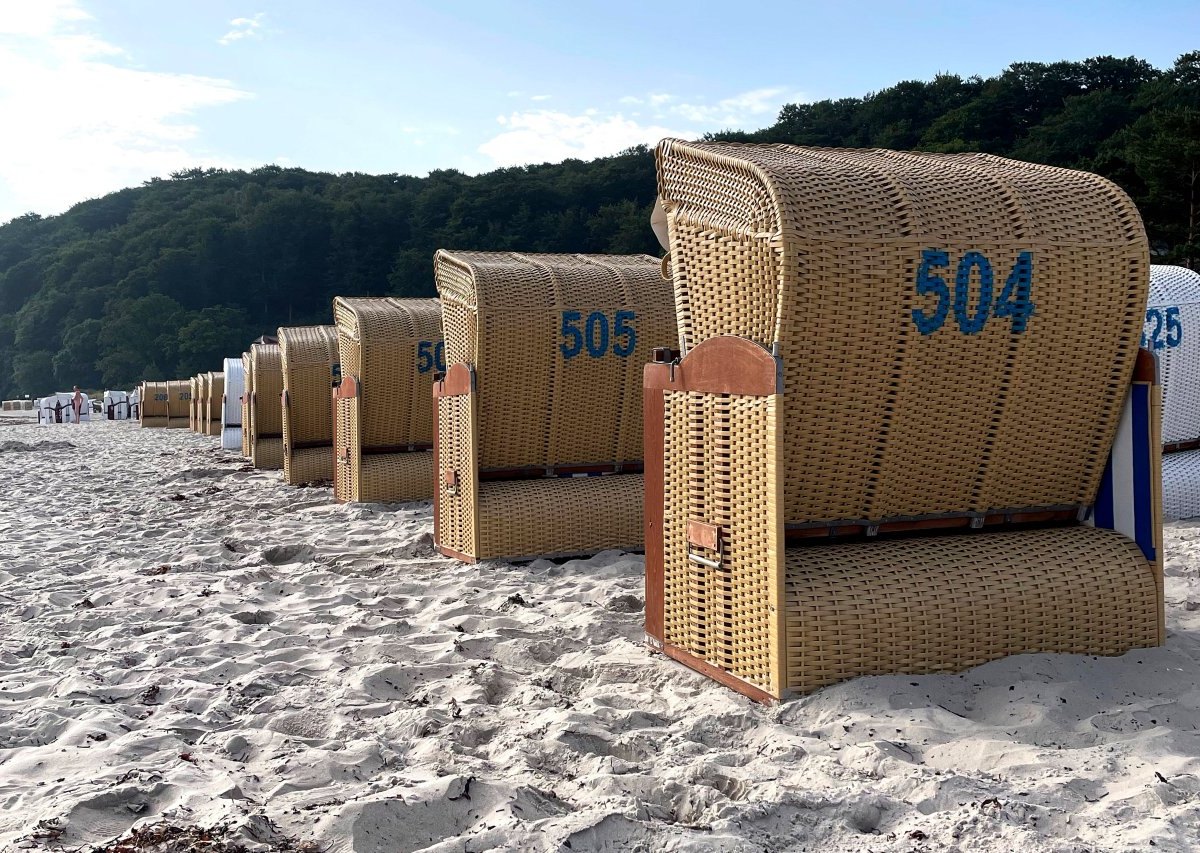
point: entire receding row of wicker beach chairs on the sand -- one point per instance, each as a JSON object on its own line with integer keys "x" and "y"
{"x": 874, "y": 413}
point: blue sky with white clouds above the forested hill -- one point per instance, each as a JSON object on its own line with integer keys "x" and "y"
{"x": 99, "y": 95}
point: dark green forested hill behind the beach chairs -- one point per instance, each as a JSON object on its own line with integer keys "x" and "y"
{"x": 165, "y": 280}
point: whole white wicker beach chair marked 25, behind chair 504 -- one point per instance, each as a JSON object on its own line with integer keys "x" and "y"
{"x": 1173, "y": 333}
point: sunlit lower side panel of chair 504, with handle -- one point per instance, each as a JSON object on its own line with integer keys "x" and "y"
{"x": 721, "y": 467}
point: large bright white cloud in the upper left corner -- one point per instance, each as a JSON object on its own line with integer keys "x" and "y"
{"x": 79, "y": 121}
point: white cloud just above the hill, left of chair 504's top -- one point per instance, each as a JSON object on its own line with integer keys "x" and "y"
{"x": 547, "y": 136}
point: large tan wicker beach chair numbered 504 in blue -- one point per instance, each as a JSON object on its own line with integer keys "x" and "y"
{"x": 905, "y": 380}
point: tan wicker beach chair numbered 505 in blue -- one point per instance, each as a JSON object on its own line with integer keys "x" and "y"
{"x": 539, "y": 424}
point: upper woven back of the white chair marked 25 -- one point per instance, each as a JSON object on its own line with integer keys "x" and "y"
{"x": 1173, "y": 333}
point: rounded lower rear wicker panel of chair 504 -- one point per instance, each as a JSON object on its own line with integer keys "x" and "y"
{"x": 938, "y": 604}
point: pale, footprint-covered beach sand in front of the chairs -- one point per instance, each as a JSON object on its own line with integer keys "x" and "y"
{"x": 257, "y": 659}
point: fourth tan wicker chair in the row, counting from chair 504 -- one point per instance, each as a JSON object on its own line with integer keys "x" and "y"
{"x": 309, "y": 361}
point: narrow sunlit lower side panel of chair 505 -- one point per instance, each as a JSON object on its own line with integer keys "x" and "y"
{"x": 458, "y": 521}
